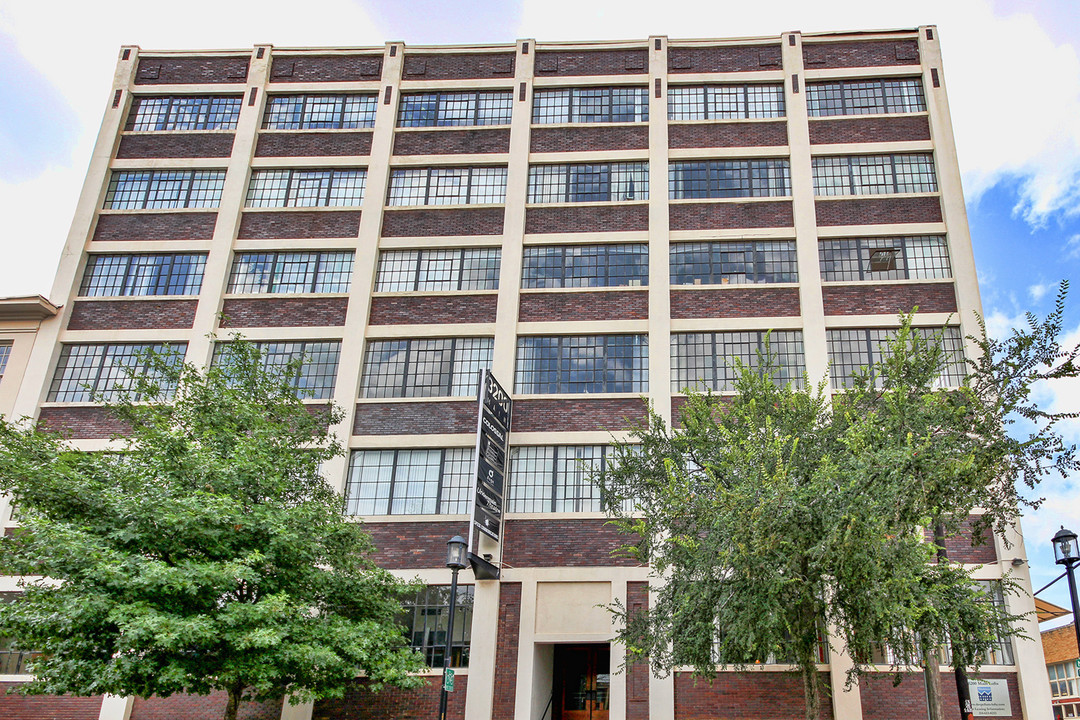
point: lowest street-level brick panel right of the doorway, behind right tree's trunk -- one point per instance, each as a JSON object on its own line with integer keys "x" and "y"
{"x": 750, "y": 697}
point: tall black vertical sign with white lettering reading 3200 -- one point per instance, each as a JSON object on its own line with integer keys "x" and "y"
{"x": 490, "y": 477}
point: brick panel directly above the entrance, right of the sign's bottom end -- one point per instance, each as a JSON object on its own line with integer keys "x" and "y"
{"x": 564, "y": 544}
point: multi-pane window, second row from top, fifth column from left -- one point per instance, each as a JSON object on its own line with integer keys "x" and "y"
{"x": 730, "y": 179}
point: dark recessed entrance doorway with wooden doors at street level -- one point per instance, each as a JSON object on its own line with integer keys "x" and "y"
{"x": 583, "y": 682}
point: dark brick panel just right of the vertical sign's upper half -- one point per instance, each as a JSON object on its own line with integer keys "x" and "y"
{"x": 575, "y": 415}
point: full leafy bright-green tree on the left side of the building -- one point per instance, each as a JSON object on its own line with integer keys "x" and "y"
{"x": 207, "y": 553}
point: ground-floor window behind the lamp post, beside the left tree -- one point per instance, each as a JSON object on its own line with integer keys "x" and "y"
{"x": 427, "y": 617}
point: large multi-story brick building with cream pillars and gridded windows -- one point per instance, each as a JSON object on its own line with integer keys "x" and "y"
{"x": 597, "y": 223}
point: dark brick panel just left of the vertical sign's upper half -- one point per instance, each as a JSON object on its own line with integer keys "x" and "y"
{"x": 394, "y": 418}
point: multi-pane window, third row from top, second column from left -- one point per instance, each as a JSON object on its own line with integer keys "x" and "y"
{"x": 291, "y": 273}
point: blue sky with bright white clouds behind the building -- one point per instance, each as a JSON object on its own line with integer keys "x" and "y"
{"x": 1011, "y": 67}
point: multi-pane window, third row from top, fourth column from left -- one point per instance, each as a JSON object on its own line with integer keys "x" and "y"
{"x": 586, "y": 266}
